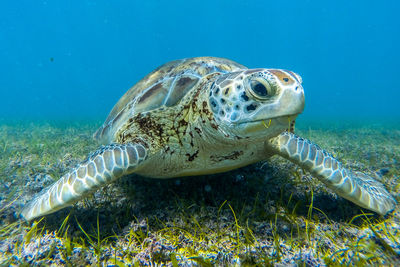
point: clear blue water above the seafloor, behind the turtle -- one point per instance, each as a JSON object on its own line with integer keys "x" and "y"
{"x": 75, "y": 59}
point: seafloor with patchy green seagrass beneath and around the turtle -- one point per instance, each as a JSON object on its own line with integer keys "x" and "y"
{"x": 270, "y": 213}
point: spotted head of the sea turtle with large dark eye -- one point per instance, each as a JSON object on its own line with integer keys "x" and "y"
{"x": 257, "y": 102}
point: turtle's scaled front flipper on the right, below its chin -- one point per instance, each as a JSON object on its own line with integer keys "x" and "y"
{"x": 354, "y": 186}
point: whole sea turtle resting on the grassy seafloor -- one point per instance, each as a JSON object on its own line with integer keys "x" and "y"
{"x": 200, "y": 116}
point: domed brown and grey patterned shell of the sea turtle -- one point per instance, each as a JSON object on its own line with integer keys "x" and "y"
{"x": 165, "y": 86}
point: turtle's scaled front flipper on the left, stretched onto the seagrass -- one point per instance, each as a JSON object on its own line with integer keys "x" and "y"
{"x": 100, "y": 168}
